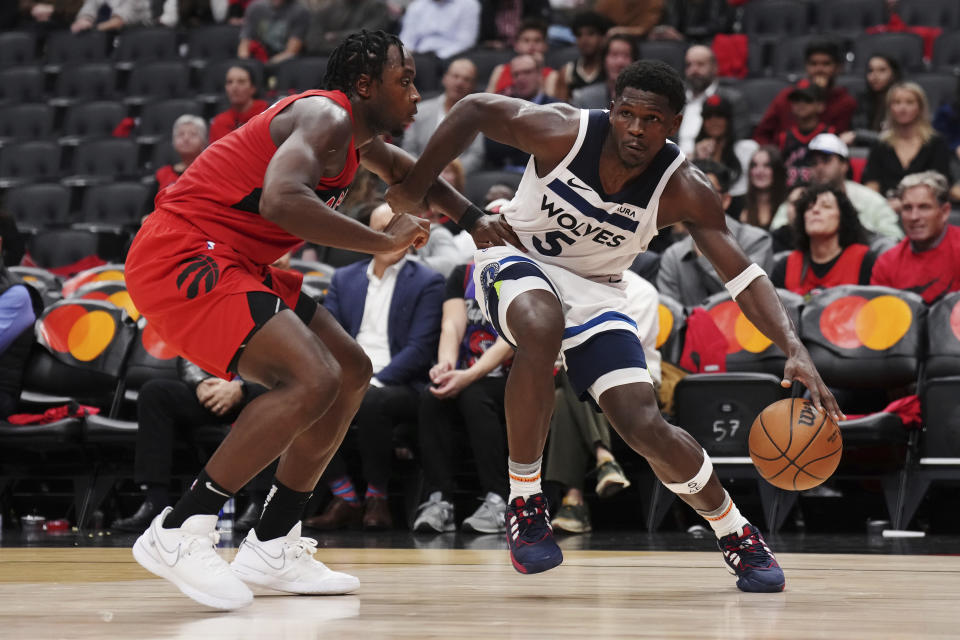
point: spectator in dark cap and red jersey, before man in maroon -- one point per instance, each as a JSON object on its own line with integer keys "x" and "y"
{"x": 807, "y": 105}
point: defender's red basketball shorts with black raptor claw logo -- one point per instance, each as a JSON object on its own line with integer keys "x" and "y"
{"x": 204, "y": 299}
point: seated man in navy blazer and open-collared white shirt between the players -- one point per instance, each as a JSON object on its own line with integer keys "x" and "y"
{"x": 392, "y": 307}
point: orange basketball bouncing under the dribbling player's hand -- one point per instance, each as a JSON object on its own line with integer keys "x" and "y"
{"x": 793, "y": 446}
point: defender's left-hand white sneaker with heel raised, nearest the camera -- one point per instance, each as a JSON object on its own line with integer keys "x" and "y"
{"x": 186, "y": 556}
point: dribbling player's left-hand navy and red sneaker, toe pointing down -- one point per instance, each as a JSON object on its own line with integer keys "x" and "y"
{"x": 530, "y": 536}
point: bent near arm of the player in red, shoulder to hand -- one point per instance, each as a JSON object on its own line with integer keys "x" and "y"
{"x": 313, "y": 139}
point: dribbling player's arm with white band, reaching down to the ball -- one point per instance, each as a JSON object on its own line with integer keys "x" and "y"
{"x": 691, "y": 196}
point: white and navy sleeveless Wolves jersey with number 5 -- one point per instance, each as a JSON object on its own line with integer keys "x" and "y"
{"x": 567, "y": 219}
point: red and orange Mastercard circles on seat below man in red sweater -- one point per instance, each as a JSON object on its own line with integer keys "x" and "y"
{"x": 879, "y": 323}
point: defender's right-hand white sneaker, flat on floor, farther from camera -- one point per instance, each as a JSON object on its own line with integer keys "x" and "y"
{"x": 287, "y": 564}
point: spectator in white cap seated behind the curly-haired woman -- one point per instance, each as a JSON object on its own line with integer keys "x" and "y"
{"x": 829, "y": 159}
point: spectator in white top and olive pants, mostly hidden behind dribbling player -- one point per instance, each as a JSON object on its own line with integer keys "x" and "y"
{"x": 580, "y": 435}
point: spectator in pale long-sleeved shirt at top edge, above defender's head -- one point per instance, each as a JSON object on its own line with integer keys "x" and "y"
{"x": 441, "y": 27}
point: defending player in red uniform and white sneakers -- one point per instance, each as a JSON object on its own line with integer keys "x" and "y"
{"x": 198, "y": 271}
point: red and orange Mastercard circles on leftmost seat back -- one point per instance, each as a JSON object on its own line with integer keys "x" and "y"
{"x": 83, "y": 331}
